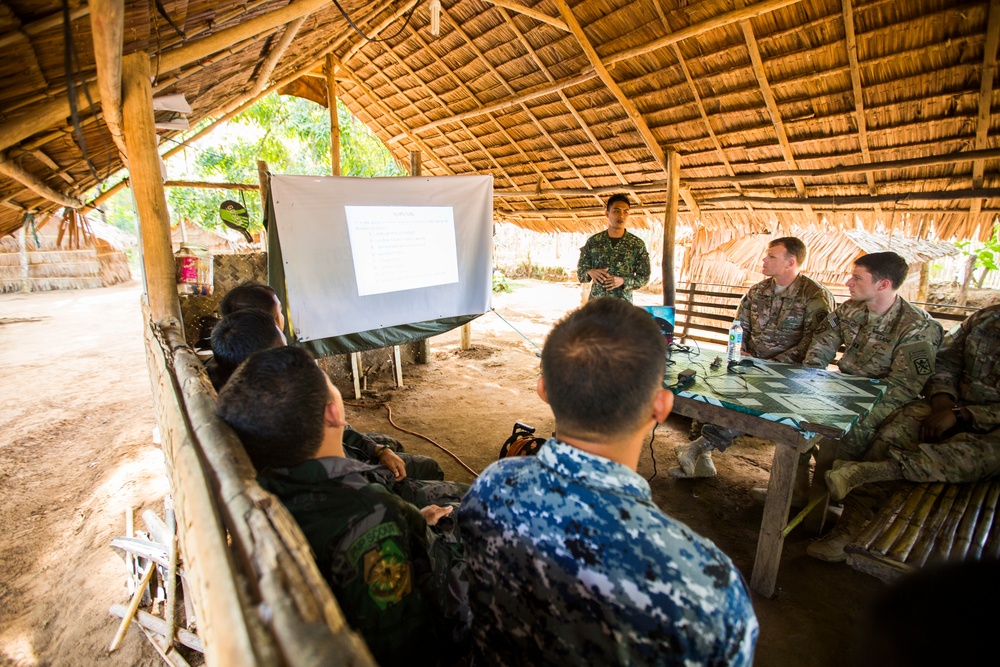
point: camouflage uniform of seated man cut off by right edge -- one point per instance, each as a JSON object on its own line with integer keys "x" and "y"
{"x": 968, "y": 370}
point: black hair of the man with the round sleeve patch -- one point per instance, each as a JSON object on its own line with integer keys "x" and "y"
{"x": 275, "y": 402}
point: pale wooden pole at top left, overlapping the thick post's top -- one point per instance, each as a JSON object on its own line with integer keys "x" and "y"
{"x": 107, "y": 28}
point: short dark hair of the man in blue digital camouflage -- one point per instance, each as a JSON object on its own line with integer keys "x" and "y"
{"x": 602, "y": 365}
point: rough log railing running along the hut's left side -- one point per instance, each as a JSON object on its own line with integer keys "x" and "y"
{"x": 258, "y": 596}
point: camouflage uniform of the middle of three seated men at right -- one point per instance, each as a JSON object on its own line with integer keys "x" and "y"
{"x": 898, "y": 348}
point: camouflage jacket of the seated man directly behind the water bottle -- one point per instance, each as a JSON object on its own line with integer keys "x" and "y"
{"x": 781, "y": 326}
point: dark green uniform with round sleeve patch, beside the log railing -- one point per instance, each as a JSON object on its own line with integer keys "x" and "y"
{"x": 399, "y": 583}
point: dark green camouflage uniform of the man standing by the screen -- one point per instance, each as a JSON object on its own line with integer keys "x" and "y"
{"x": 626, "y": 258}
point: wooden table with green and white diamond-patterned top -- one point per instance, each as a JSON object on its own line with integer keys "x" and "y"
{"x": 792, "y": 405}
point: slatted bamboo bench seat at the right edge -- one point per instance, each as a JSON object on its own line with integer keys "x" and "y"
{"x": 931, "y": 523}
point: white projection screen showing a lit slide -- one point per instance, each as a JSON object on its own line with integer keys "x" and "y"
{"x": 368, "y": 253}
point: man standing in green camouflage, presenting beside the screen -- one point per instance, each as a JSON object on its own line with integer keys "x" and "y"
{"x": 615, "y": 260}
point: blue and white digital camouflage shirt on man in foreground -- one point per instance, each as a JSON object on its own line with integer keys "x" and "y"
{"x": 571, "y": 563}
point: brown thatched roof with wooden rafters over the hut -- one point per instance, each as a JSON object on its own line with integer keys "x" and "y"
{"x": 775, "y": 108}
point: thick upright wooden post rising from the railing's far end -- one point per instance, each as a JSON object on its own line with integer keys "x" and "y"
{"x": 147, "y": 188}
